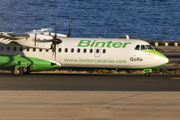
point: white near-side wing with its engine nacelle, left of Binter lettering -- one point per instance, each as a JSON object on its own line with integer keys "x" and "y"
{"x": 30, "y": 40}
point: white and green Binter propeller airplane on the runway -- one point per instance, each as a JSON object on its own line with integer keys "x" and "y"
{"x": 41, "y": 51}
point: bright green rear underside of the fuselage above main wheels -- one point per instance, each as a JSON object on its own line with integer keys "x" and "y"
{"x": 8, "y": 62}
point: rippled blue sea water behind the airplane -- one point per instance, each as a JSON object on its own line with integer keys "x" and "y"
{"x": 147, "y": 19}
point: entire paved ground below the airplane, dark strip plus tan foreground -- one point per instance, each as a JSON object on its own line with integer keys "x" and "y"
{"x": 89, "y": 97}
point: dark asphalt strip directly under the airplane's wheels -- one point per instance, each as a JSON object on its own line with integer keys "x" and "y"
{"x": 90, "y": 82}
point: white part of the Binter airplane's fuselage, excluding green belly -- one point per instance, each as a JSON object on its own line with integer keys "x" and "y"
{"x": 92, "y": 53}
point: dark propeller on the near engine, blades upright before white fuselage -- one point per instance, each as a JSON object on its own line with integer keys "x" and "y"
{"x": 55, "y": 40}
